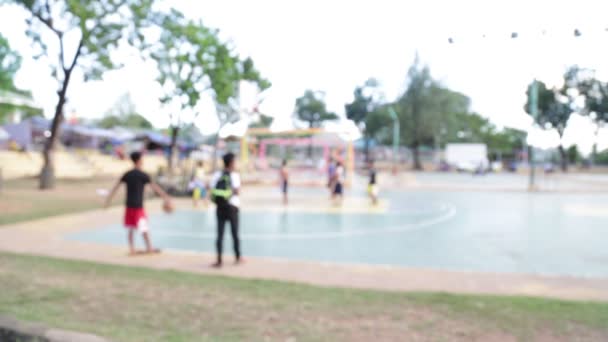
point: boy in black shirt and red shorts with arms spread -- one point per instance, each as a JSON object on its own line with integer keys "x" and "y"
{"x": 135, "y": 216}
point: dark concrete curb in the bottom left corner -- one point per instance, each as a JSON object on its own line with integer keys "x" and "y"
{"x": 13, "y": 330}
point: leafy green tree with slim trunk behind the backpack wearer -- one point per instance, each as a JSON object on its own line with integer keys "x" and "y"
{"x": 191, "y": 61}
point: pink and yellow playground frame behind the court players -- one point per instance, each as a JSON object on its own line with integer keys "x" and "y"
{"x": 262, "y": 149}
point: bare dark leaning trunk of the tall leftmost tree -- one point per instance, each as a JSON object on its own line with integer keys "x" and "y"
{"x": 47, "y": 174}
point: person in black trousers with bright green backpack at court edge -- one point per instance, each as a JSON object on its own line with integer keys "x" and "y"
{"x": 225, "y": 195}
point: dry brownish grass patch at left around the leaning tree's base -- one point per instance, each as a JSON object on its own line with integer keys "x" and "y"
{"x": 20, "y": 200}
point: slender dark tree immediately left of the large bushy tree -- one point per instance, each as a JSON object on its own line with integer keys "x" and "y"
{"x": 364, "y": 103}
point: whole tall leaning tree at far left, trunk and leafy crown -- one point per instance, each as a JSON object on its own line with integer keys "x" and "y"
{"x": 96, "y": 28}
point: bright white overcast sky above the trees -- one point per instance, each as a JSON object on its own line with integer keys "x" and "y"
{"x": 333, "y": 46}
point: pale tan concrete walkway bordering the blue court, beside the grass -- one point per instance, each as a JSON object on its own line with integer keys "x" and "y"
{"x": 45, "y": 237}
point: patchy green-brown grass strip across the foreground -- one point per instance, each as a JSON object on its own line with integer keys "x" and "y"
{"x": 136, "y": 304}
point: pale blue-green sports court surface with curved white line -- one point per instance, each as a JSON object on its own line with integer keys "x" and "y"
{"x": 539, "y": 233}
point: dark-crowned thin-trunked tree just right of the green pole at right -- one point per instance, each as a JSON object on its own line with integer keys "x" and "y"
{"x": 553, "y": 112}
